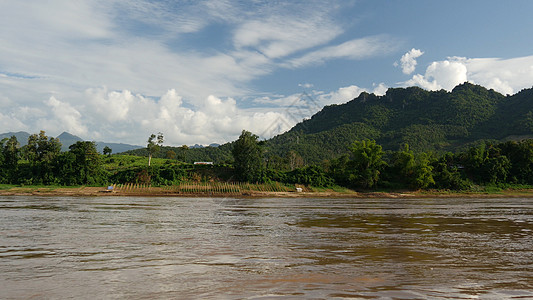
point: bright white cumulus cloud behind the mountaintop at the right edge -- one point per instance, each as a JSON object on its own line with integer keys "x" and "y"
{"x": 506, "y": 76}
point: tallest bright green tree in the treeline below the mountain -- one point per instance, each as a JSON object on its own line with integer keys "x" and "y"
{"x": 367, "y": 163}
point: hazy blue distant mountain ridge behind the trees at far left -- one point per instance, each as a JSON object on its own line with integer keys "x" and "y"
{"x": 68, "y": 139}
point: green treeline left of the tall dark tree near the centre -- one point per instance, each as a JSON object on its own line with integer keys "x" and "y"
{"x": 41, "y": 162}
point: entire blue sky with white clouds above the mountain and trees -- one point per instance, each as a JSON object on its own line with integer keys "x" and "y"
{"x": 202, "y": 71}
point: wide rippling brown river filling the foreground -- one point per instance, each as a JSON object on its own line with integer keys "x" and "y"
{"x": 214, "y": 248}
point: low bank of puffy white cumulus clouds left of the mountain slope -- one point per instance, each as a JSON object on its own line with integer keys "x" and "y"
{"x": 213, "y": 119}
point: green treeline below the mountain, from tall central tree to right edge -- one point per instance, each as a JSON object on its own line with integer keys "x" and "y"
{"x": 368, "y": 166}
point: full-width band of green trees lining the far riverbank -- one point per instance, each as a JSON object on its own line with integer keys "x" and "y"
{"x": 366, "y": 167}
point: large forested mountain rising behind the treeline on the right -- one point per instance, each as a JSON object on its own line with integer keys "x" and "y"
{"x": 426, "y": 120}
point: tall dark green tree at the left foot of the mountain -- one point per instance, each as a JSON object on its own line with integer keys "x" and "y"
{"x": 248, "y": 156}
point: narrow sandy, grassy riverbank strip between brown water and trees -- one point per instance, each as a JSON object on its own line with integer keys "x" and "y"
{"x": 303, "y": 193}
